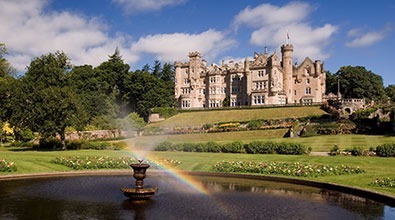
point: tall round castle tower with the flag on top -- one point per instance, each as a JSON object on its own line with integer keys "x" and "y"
{"x": 286, "y": 51}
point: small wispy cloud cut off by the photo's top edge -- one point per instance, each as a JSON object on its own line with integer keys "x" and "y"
{"x": 131, "y": 6}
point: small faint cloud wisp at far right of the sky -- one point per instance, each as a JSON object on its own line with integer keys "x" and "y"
{"x": 363, "y": 39}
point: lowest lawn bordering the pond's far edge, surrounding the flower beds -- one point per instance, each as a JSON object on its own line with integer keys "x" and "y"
{"x": 375, "y": 167}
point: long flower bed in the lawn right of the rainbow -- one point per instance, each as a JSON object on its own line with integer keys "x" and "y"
{"x": 284, "y": 168}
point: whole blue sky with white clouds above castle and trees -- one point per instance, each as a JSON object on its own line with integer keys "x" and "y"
{"x": 337, "y": 32}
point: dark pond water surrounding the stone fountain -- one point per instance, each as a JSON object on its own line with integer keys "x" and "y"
{"x": 99, "y": 197}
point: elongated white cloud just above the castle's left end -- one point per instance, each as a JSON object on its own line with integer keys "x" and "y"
{"x": 176, "y": 46}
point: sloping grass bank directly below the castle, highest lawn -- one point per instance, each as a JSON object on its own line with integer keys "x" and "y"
{"x": 199, "y": 118}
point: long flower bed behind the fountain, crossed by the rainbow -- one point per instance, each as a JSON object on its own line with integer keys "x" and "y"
{"x": 89, "y": 163}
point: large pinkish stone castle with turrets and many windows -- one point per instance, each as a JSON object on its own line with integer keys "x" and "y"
{"x": 264, "y": 80}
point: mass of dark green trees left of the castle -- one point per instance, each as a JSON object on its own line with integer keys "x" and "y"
{"x": 53, "y": 95}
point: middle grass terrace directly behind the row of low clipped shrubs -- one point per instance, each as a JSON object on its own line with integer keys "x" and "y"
{"x": 317, "y": 143}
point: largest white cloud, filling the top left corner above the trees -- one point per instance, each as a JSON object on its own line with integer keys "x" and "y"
{"x": 29, "y": 31}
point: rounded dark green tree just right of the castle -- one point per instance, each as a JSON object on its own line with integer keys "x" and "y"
{"x": 357, "y": 82}
